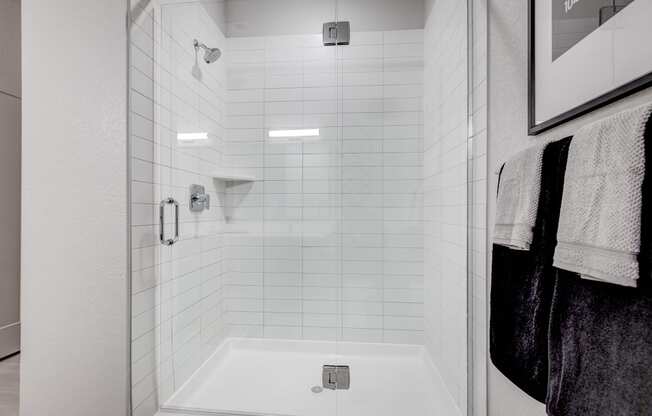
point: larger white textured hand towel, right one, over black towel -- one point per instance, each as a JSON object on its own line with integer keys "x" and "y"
{"x": 599, "y": 233}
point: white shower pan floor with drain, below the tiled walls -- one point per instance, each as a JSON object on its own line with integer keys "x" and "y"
{"x": 262, "y": 377}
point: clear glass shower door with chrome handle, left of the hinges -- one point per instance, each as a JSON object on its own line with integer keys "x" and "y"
{"x": 249, "y": 134}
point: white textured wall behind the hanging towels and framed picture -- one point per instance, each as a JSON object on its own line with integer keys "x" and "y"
{"x": 507, "y": 129}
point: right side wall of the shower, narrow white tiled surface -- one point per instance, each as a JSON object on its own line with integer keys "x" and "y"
{"x": 445, "y": 193}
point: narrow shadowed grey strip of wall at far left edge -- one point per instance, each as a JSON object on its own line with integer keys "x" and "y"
{"x": 10, "y": 176}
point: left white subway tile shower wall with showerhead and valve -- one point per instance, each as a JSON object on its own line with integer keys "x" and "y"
{"x": 177, "y": 297}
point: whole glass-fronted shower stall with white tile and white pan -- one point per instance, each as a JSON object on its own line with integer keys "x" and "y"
{"x": 298, "y": 207}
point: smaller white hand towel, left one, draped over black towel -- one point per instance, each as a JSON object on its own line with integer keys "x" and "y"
{"x": 518, "y": 199}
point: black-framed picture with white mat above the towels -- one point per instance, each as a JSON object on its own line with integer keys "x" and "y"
{"x": 585, "y": 54}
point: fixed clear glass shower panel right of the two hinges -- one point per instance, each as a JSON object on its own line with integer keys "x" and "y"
{"x": 404, "y": 278}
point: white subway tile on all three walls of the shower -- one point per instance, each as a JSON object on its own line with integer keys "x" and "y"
{"x": 331, "y": 242}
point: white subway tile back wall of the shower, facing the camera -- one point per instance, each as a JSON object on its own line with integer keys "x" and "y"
{"x": 328, "y": 244}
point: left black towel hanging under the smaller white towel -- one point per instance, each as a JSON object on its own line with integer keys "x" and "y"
{"x": 522, "y": 284}
